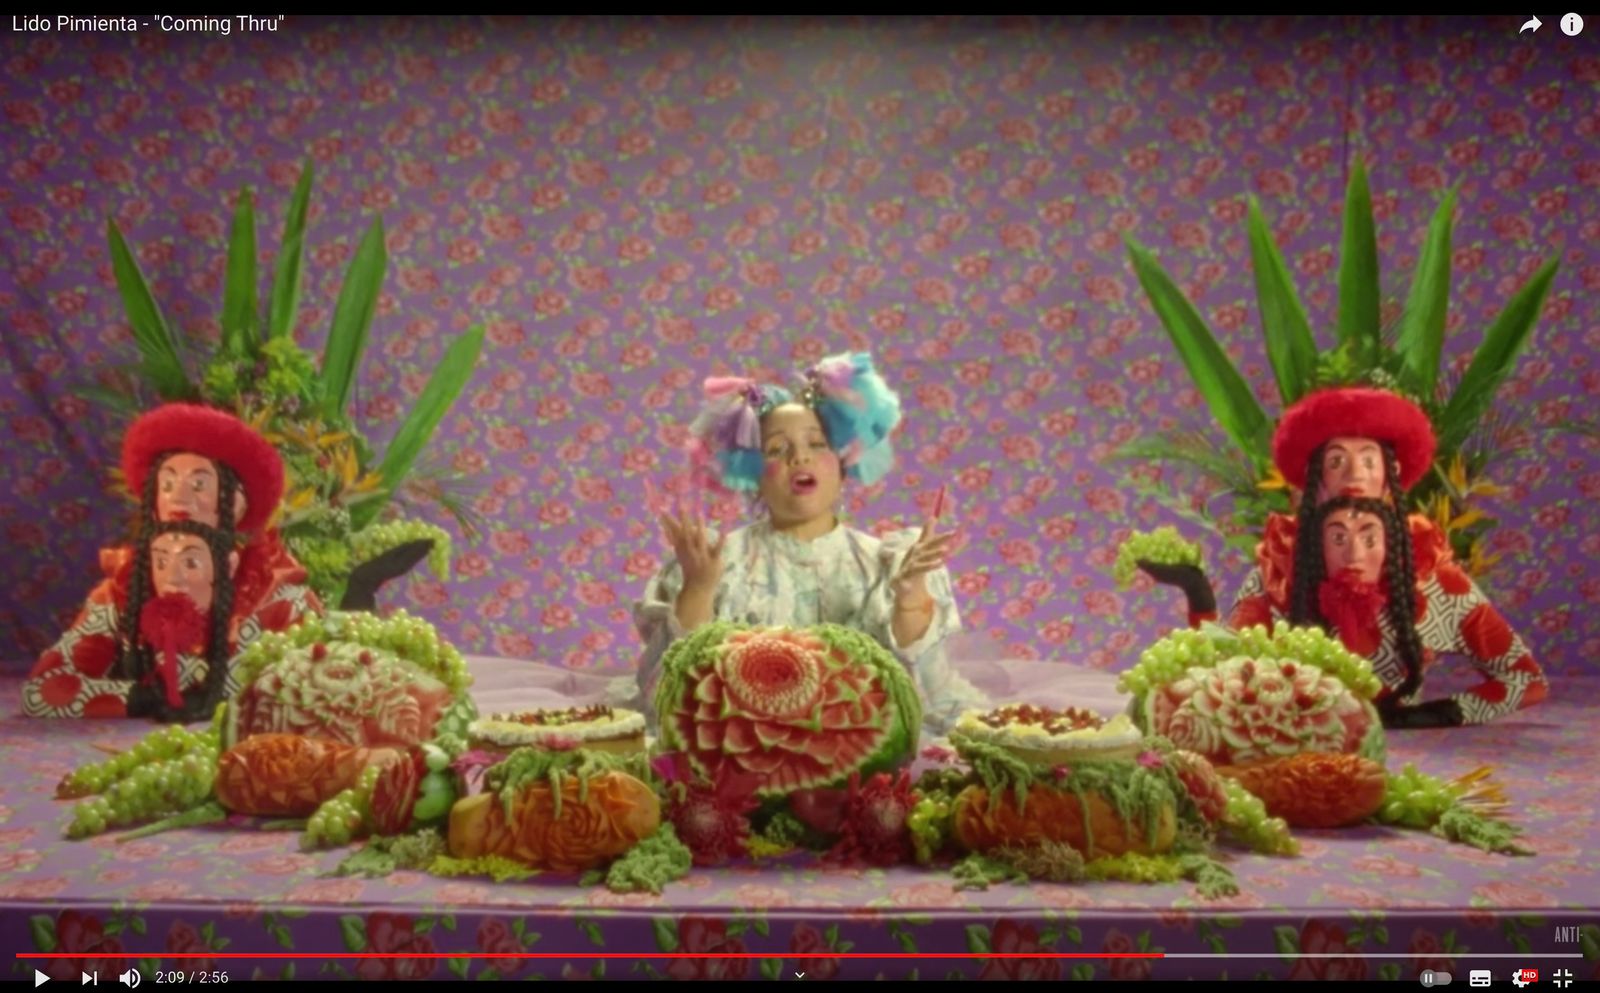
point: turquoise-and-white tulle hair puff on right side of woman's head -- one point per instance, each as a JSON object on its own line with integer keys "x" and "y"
{"x": 858, "y": 412}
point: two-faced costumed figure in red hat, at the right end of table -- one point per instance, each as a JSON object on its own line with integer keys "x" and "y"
{"x": 1350, "y": 562}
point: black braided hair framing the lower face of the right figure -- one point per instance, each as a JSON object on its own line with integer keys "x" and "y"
{"x": 1399, "y": 580}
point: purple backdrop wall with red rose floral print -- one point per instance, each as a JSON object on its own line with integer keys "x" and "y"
{"x": 631, "y": 205}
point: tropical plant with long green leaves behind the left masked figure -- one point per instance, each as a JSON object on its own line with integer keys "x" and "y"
{"x": 342, "y": 501}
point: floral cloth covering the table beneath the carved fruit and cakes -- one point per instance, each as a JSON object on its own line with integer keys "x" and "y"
{"x": 1356, "y": 904}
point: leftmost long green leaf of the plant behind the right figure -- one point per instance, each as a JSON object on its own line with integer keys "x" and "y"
{"x": 1225, "y": 389}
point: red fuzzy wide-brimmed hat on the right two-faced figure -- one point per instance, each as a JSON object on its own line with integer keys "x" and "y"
{"x": 1354, "y": 413}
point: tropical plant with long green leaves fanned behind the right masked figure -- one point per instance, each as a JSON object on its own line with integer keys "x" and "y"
{"x": 1474, "y": 434}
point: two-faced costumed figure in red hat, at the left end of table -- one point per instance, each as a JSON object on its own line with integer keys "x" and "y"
{"x": 206, "y": 578}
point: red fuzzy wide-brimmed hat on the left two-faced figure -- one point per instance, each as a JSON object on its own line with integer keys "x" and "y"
{"x": 218, "y": 436}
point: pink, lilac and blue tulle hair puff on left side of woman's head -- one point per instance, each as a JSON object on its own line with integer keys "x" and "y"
{"x": 726, "y": 439}
